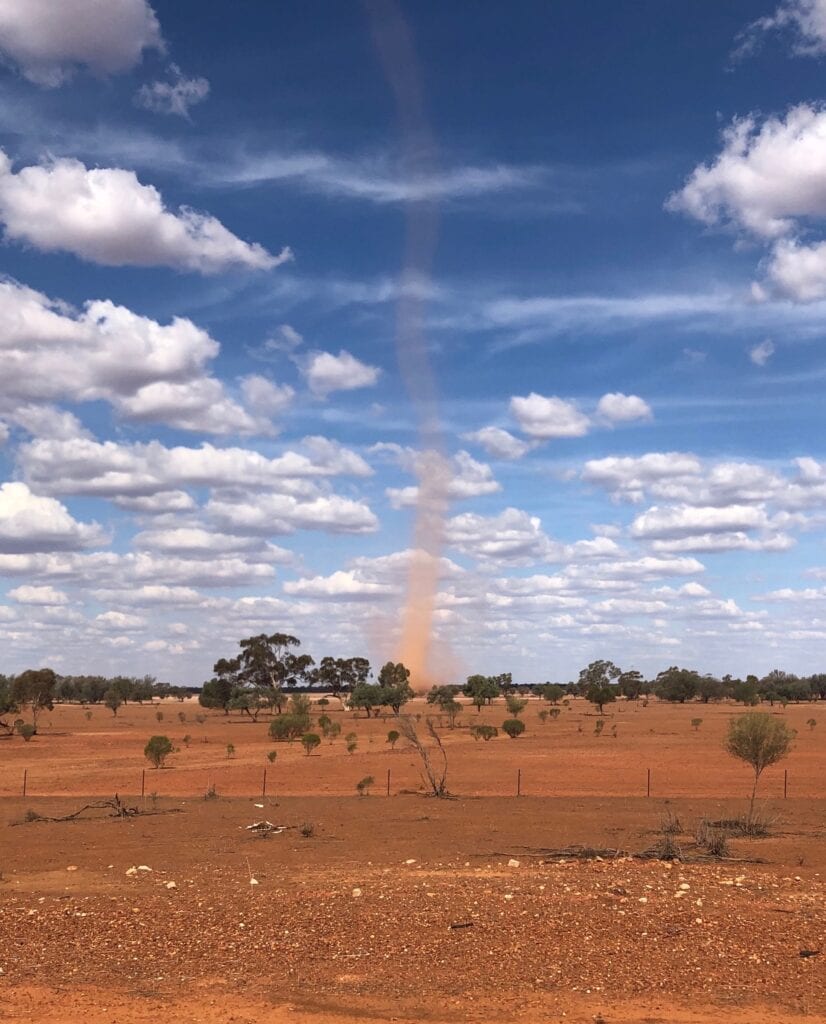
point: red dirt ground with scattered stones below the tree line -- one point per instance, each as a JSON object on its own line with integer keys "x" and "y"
{"x": 553, "y": 940}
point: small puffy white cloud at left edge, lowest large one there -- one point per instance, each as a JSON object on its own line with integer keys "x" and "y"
{"x": 31, "y": 524}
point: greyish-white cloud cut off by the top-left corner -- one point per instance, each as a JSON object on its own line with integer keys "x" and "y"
{"x": 48, "y": 40}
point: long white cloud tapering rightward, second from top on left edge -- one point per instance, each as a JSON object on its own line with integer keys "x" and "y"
{"x": 107, "y": 217}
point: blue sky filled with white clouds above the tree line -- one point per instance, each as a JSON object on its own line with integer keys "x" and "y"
{"x": 208, "y": 430}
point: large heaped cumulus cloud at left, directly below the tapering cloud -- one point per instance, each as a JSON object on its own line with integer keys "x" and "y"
{"x": 148, "y": 371}
